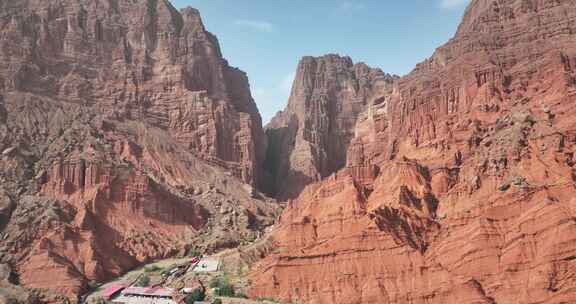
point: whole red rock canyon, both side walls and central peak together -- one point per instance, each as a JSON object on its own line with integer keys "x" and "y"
{"x": 127, "y": 138}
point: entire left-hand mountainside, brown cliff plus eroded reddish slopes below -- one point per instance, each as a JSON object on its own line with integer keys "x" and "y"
{"x": 123, "y": 133}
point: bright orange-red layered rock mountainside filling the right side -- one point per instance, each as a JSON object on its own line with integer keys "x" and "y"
{"x": 458, "y": 189}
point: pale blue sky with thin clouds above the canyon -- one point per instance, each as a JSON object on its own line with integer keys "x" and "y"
{"x": 266, "y": 38}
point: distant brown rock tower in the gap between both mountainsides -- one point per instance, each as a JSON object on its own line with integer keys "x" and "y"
{"x": 309, "y": 139}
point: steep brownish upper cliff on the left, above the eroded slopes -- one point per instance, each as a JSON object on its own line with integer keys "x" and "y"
{"x": 141, "y": 60}
